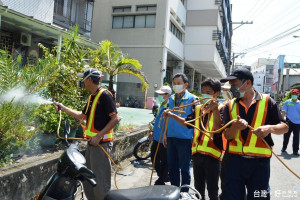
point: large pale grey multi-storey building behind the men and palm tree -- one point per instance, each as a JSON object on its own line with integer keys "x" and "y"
{"x": 167, "y": 37}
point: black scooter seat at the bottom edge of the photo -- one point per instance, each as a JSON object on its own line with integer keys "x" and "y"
{"x": 155, "y": 192}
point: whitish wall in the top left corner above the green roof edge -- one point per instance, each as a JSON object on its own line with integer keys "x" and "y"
{"x": 39, "y": 9}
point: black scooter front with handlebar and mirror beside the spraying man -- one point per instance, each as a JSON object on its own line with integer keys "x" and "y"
{"x": 71, "y": 171}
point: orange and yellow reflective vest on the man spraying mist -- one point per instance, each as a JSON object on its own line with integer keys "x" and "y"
{"x": 89, "y": 129}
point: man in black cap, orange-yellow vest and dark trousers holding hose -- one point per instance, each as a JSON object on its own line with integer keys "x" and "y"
{"x": 248, "y": 157}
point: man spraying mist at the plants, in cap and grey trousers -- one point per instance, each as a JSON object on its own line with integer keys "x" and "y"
{"x": 101, "y": 115}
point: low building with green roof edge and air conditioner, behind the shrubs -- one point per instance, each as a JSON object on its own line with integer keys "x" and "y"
{"x": 25, "y": 23}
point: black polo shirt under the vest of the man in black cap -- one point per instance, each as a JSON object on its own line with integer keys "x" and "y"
{"x": 273, "y": 115}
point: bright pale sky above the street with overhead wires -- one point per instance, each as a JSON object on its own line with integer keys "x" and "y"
{"x": 275, "y": 23}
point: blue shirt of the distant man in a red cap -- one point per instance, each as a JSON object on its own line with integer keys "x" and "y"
{"x": 292, "y": 110}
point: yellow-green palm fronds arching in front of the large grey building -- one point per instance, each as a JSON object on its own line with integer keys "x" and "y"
{"x": 110, "y": 59}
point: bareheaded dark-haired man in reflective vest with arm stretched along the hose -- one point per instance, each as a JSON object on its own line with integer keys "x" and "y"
{"x": 207, "y": 148}
